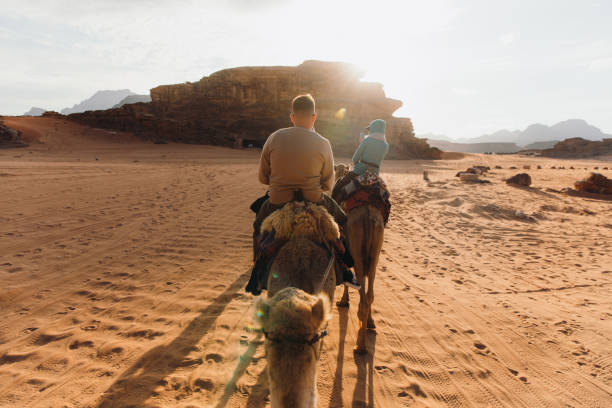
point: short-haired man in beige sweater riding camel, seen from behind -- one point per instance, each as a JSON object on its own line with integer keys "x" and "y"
{"x": 297, "y": 162}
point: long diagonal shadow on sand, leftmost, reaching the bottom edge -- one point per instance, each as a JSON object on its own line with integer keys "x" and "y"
{"x": 137, "y": 384}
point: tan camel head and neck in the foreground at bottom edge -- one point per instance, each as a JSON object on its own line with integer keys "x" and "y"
{"x": 292, "y": 321}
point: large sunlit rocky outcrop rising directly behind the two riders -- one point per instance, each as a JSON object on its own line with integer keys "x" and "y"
{"x": 244, "y": 105}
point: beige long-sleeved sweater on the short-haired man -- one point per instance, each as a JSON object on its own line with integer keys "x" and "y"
{"x": 296, "y": 158}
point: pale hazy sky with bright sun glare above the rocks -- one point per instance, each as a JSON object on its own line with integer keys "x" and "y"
{"x": 462, "y": 68}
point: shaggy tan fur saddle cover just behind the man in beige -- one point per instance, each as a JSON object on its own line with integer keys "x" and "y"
{"x": 302, "y": 219}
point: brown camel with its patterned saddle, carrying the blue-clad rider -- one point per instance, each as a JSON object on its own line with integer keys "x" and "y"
{"x": 365, "y": 199}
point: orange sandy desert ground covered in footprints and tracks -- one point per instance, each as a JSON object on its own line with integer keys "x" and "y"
{"x": 122, "y": 267}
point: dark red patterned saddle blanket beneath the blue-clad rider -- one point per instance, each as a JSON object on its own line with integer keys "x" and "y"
{"x": 353, "y": 190}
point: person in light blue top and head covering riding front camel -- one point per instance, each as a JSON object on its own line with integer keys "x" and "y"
{"x": 372, "y": 149}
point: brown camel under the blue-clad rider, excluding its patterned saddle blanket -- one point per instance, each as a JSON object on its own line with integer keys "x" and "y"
{"x": 365, "y": 230}
